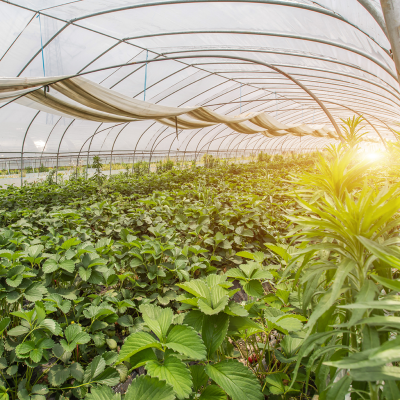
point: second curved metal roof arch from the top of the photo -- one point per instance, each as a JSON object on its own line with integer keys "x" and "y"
{"x": 274, "y": 34}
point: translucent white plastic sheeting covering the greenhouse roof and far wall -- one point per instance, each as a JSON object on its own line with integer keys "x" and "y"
{"x": 333, "y": 47}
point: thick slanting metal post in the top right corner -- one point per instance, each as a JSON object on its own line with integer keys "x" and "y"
{"x": 391, "y": 12}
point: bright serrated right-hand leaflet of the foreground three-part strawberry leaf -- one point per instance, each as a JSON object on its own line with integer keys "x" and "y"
{"x": 184, "y": 339}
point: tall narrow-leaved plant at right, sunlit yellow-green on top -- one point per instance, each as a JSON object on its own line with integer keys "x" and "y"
{"x": 337, "y": 268}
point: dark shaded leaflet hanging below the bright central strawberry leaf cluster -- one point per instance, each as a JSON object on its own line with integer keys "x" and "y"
{"x": 215, "y": 328}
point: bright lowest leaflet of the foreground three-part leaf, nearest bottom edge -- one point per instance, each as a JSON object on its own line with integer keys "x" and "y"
{"x": 174, "y": 372}
